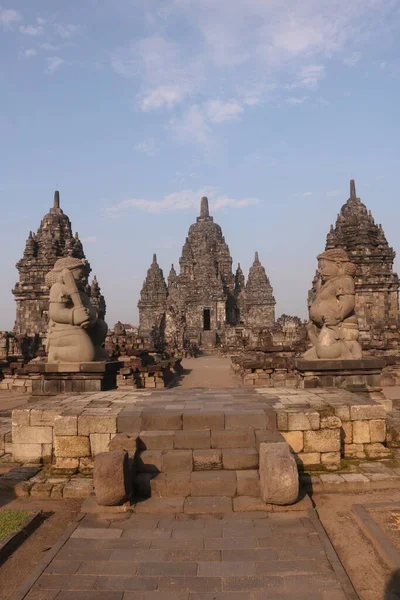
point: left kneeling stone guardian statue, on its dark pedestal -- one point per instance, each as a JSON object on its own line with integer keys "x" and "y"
{"x": 75, "y": 333}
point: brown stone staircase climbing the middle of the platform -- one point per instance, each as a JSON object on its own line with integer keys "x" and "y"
{"x": 198, "y": 454}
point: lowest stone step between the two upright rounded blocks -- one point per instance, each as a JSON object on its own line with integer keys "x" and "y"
{"x": 205, "y": 483}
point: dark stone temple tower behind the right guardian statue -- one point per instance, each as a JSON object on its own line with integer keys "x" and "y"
{"x": 377, "y": 286}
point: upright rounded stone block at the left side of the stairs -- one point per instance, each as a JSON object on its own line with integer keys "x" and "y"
{"x": 112, "y": 478}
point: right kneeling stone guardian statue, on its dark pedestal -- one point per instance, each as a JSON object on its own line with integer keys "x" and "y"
{"x": 333, "y": 326}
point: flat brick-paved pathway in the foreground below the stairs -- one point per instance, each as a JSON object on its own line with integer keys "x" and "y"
{"x": 248, "y": 556}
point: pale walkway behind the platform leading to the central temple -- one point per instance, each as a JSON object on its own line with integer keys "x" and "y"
{"x": 208, "y": 371}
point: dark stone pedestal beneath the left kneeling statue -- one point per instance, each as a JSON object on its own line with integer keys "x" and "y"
{"x": 50, "y": 379}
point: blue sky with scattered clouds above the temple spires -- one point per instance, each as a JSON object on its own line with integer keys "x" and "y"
{"x": 135, "y": 109}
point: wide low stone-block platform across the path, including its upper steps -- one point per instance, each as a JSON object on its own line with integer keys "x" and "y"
{"x": 179, "y": 430}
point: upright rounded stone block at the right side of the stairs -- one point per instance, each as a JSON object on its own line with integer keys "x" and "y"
{"x": 279, "y": 480}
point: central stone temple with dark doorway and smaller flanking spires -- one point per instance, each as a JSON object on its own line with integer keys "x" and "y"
{"x": 206, "y": 297}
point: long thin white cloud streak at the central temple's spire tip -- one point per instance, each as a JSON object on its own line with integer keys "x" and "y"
{"x": 183, "y": 200}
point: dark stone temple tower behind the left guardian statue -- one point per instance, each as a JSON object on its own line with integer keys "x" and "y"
{"x": 53, "y": 240}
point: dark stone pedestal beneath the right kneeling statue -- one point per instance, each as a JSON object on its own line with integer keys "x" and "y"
{"x": 354, "y": 375}
